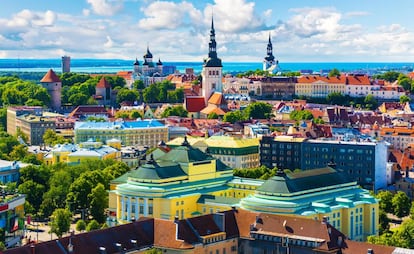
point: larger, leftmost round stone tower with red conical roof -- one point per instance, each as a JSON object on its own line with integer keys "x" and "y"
{"x": 53, "y": 86}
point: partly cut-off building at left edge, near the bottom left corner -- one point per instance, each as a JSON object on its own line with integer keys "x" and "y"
{"x": 12, "y": 218}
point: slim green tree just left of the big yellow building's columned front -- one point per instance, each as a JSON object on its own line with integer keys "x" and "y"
{"x": 99, "y": 201}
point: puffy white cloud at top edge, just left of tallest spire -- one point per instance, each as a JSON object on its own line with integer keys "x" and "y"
{"x": 168, "y": 15}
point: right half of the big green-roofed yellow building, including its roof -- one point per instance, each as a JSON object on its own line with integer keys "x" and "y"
{"x": 334, "y": 197}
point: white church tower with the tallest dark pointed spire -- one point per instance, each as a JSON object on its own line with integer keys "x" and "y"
{"x": 212, "y": 68}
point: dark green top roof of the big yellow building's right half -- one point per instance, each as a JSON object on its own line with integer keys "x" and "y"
{"x": 304, "y": 180}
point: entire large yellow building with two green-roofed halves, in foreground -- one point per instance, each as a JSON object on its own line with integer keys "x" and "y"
{"x": 186, "y": 182}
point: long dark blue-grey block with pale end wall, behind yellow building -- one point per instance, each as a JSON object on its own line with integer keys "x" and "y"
{"x": 364, "y": 162}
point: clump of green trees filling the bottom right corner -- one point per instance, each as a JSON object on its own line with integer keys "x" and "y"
{"x": 400, "y": 205}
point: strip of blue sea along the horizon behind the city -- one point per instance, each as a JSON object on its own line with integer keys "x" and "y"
{"x": 115, "y": 65}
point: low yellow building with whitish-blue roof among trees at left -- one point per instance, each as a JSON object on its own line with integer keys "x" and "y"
{"x": 74, "y": 154}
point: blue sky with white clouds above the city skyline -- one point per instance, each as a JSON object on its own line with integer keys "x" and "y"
{"x": 300, "y": 30}
